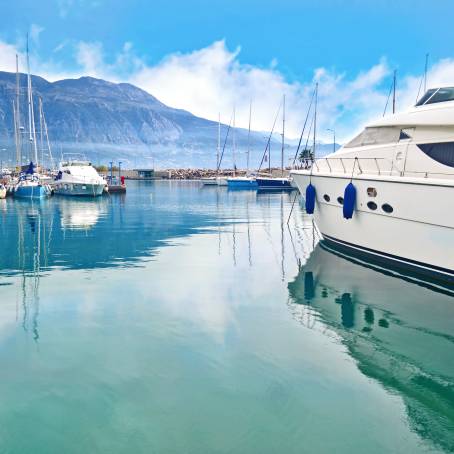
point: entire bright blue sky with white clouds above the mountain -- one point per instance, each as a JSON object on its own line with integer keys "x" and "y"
{"x": 209, "y": 56}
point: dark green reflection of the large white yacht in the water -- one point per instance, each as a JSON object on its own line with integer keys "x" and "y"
{"x": 400, "y": 333}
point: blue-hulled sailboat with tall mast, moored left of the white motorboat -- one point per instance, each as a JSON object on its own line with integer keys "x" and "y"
{"x": 30, "y": 184}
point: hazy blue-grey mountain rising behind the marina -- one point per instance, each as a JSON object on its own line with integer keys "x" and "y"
{"x": 108, "y": 121}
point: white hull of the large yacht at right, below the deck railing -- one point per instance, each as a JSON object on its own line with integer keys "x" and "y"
{"x": 418, "y": 235}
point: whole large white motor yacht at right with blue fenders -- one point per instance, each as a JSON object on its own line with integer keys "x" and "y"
{"x": 399, "y": 208}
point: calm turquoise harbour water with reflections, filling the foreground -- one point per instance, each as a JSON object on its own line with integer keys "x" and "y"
{"x": 181, "y": 319}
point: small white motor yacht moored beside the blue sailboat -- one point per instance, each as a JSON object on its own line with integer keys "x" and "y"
{"x": 78, "y": 178}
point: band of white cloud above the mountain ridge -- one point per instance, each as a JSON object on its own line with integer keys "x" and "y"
{"x": 213, "y": 79}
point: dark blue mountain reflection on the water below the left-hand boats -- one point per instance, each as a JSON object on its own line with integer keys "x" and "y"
{"x": 101, "y": 233}
